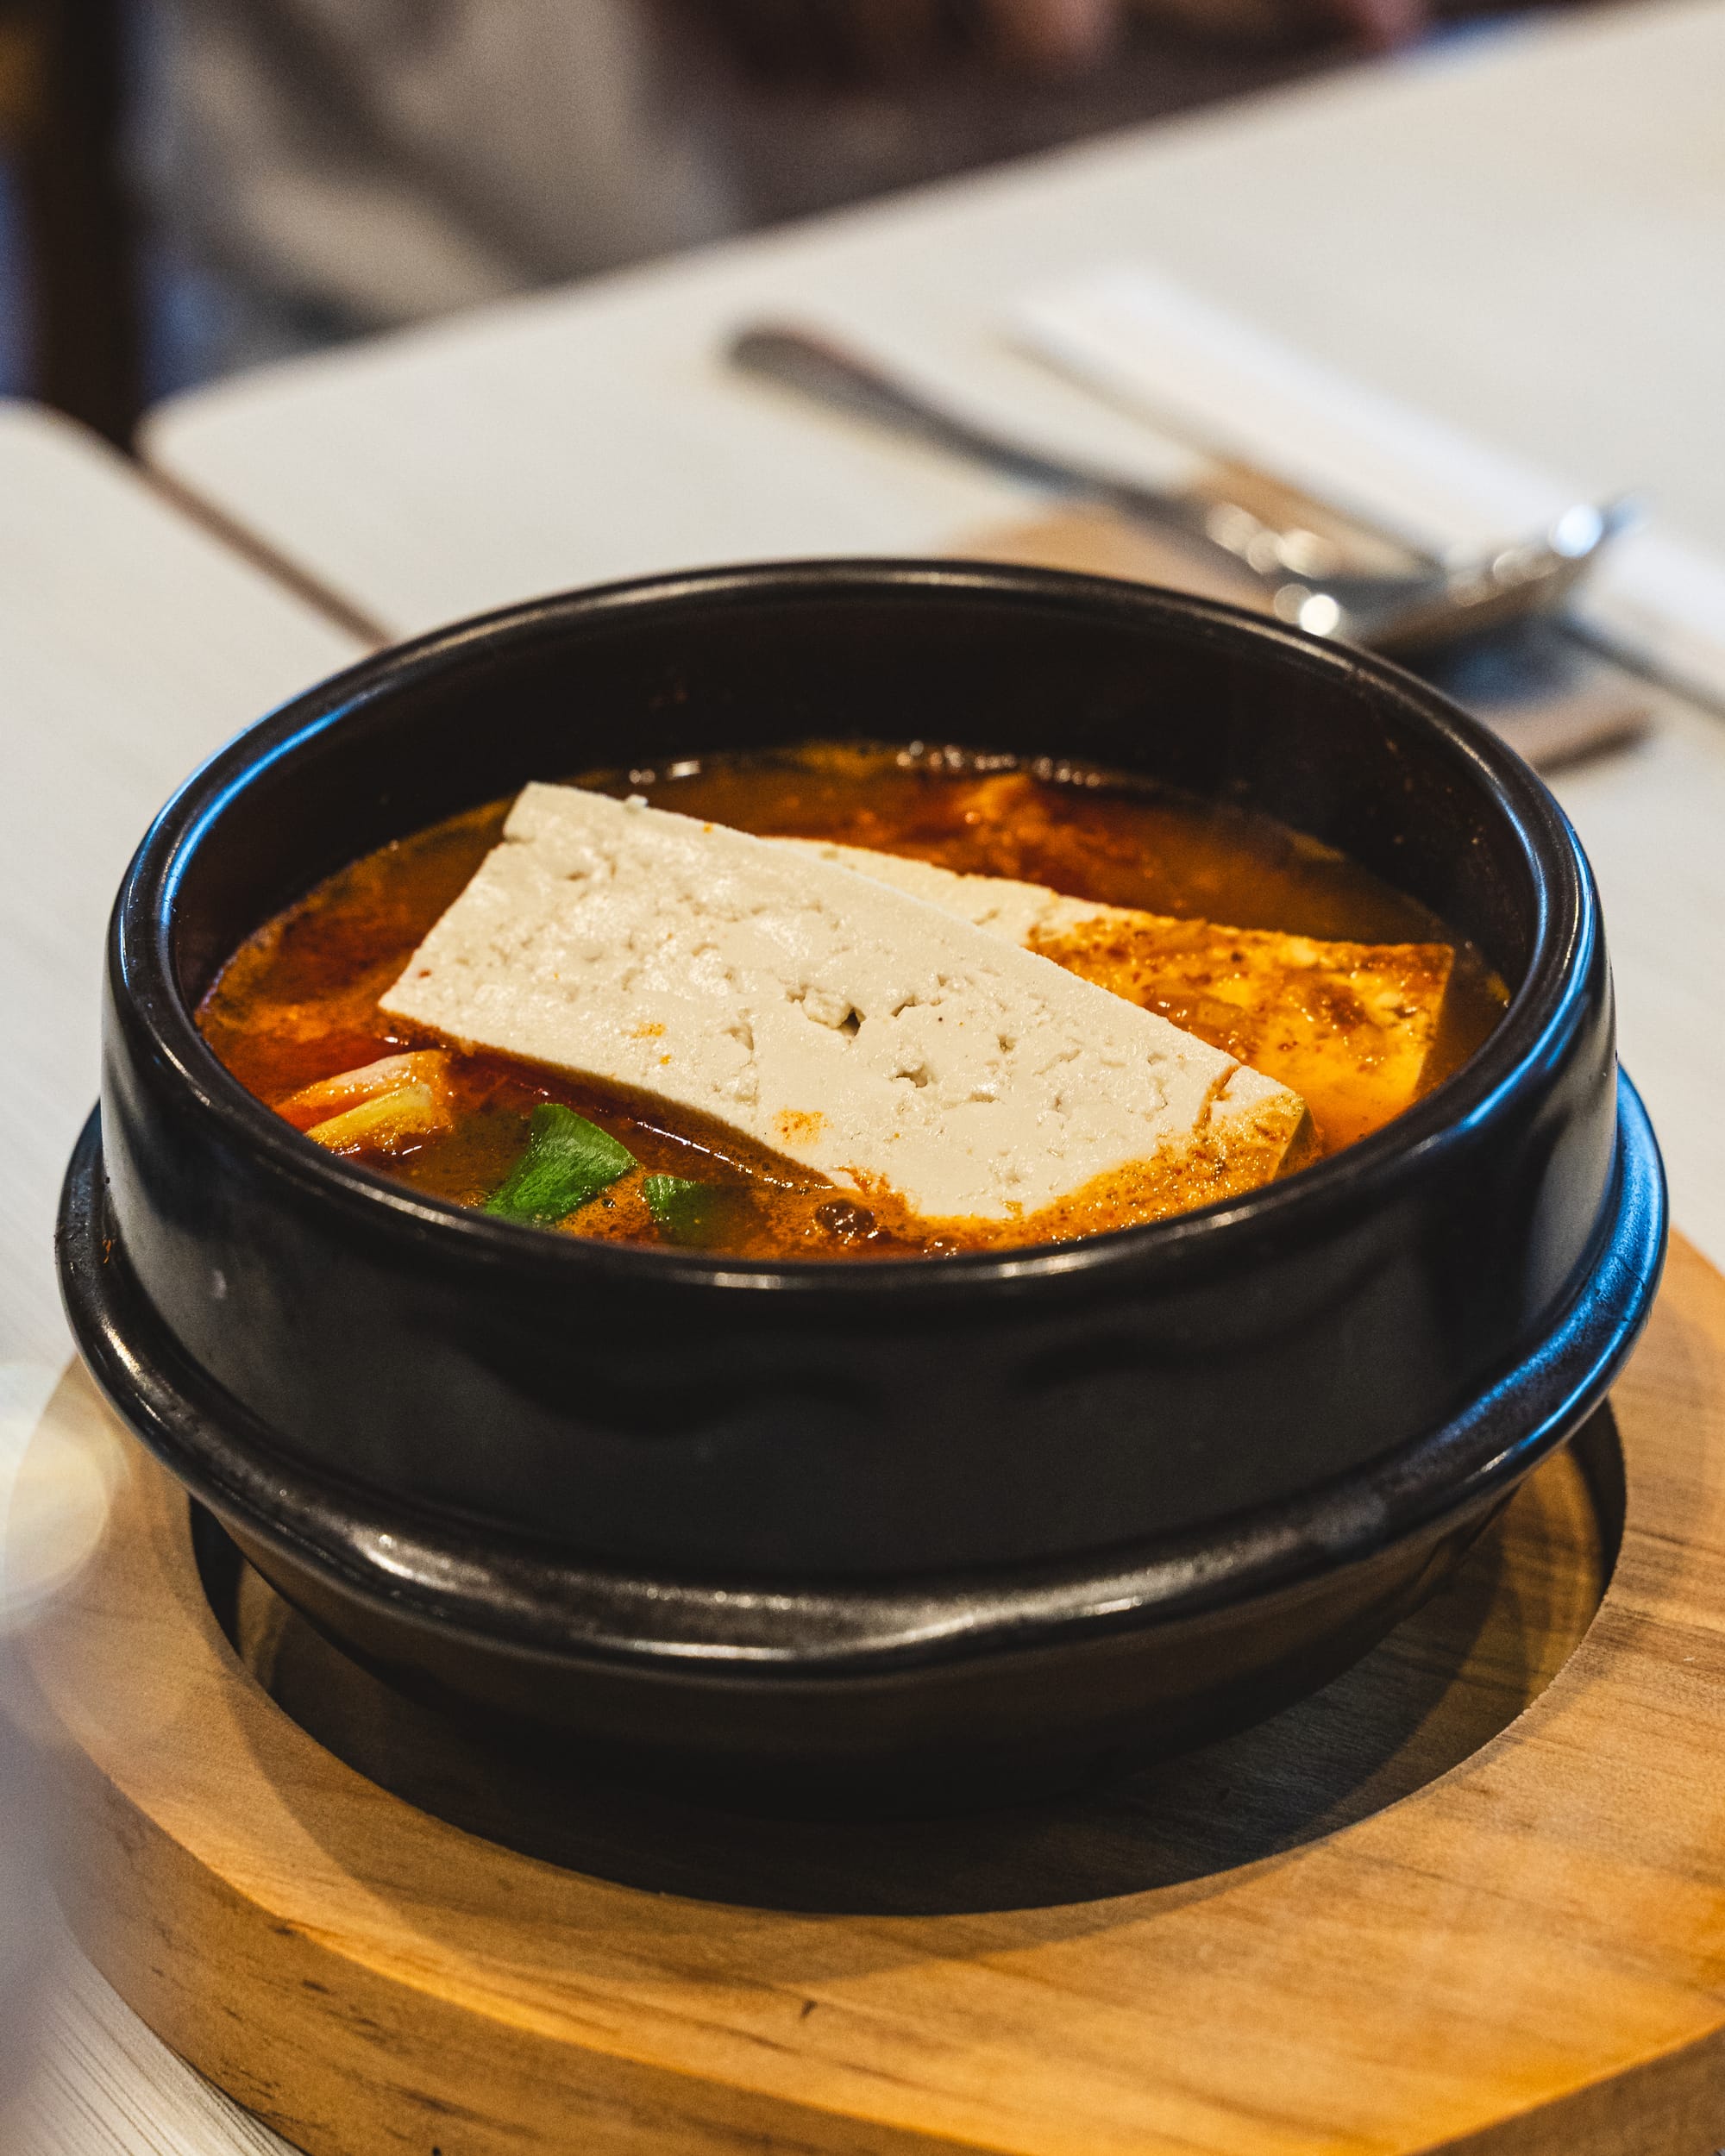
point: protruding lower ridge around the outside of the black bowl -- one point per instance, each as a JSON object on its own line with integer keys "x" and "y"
{"x": 747, "y": 1633}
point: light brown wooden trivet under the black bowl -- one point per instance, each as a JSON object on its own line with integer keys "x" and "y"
{"x": 1469, "y": 1898}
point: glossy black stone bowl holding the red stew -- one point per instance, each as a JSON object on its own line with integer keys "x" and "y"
{"x": 900, "y": 1532}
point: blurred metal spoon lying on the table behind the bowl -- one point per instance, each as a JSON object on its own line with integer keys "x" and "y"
{"x": 1418, "y": 611}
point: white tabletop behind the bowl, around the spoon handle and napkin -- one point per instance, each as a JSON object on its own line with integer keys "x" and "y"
{"x": 1521, "y": 234}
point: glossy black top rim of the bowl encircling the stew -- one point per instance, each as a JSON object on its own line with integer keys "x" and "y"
{"x": 141, "y": 948}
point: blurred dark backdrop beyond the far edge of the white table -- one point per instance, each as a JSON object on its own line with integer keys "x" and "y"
{"x": 195, "y": 186}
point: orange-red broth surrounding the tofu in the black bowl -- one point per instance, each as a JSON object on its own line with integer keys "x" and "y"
{"x": 299, "y": 1001}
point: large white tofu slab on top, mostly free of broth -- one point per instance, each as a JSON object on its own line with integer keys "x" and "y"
{"x": 844, "y": 1023}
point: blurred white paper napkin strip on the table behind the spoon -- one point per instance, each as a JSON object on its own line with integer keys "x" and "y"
{"x": 1202, "y": 376}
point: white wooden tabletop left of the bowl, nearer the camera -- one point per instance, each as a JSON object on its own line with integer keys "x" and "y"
{"x": 130, "y": 646}
